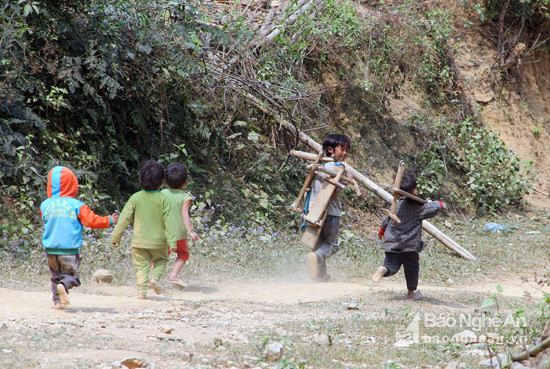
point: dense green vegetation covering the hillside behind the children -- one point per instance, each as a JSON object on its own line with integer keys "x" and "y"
{"x": 102, "y": 86}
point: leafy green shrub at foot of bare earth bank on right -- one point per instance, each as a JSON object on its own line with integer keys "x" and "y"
{"x": 494, "y": 176}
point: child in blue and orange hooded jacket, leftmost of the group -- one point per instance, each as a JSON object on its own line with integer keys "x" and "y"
{"x": 64, "y": 218}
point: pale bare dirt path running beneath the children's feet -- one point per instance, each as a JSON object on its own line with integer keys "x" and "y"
{"x": 106, "y": 298}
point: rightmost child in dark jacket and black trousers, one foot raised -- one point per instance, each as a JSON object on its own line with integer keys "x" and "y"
{"x": 403, "y": 241}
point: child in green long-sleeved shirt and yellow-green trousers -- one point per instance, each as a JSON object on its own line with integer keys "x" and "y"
{"x": 149, "y": 211}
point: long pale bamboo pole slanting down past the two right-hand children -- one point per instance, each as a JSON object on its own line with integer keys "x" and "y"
{"x": 377, "y": 190}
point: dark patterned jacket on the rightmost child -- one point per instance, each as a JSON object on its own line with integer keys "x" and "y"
{"x": 407, "y": 235}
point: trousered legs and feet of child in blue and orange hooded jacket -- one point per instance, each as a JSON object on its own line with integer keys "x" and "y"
{"x": 64, "y": 269}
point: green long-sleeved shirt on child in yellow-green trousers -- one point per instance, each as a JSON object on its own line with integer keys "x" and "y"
{"x": 149, "y": 212}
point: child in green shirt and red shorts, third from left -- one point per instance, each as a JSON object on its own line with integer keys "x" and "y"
{"x": 180, "y": 202}
